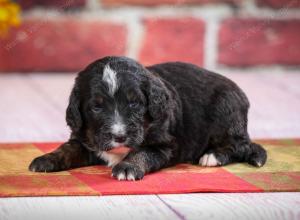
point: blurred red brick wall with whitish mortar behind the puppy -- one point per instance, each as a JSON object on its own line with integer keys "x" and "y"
{"x": 66, "y": 35}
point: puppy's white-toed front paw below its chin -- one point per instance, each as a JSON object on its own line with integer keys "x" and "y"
{"x": 127, "y": 171}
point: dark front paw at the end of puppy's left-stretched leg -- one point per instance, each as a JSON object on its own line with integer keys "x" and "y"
{"x": 43, "y": 164}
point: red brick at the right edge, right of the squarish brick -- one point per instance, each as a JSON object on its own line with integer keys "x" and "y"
{"x": 247, "y": 42}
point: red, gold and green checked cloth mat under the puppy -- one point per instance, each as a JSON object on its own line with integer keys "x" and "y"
{"x": 281, "y": 173}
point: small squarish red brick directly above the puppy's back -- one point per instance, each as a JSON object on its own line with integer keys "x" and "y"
{"x": 173, "y": 40}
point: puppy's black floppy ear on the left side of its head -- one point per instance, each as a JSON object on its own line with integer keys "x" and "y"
{"x": 73, "y": 115}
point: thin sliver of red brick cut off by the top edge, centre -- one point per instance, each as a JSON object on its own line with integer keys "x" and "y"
{"x": 166, "y": 2}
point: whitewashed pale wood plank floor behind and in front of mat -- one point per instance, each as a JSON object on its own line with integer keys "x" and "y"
{"x": 32, "y": 108}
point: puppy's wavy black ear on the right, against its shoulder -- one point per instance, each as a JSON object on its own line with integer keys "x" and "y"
{"x": 160, "y": 109}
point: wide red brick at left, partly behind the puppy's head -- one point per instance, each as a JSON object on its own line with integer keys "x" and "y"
{"x": 60, "y": 45}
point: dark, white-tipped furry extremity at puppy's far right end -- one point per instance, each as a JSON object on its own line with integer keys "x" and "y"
{"x": 257, "y": 155}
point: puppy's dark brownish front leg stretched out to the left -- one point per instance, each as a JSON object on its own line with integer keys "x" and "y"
{"x": 69, "y": 155}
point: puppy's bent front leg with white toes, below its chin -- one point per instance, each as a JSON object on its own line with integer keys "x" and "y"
{"x": 137, "y": 163}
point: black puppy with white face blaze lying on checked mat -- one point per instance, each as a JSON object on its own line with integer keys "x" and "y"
{"x": 167, "y": 114}
